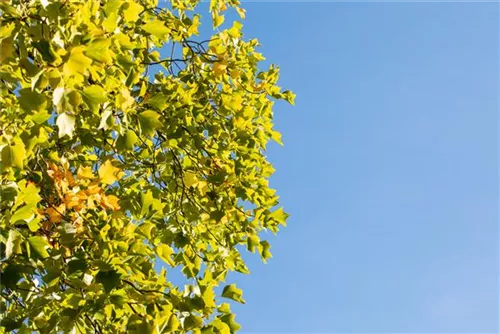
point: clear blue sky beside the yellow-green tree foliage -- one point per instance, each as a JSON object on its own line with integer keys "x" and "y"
{"x": 389, "y": 169}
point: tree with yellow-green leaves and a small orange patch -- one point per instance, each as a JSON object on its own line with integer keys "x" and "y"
{"x": 129, "y": 148}
